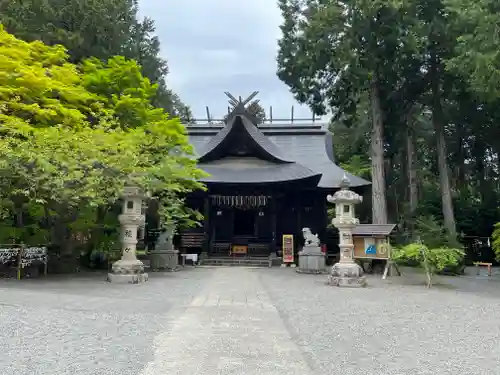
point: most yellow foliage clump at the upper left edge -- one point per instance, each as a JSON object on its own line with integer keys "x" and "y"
{"x": 38, "y": 87}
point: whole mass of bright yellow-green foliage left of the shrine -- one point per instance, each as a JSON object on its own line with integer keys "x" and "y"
{"x": 62, "y": 165}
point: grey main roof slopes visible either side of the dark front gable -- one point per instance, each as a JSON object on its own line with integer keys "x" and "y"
{"x": 311, "y": 146}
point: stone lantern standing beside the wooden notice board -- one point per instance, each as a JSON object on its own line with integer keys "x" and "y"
{"x": 346, "y": 273}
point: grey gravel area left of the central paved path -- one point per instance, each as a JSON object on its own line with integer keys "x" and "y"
{"x": 86, "y": 326}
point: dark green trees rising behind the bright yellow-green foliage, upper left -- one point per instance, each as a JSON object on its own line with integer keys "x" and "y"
{"x": 95, "y": 29}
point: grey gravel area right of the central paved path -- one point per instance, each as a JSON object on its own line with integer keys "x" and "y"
{"x": 392, "y": 328}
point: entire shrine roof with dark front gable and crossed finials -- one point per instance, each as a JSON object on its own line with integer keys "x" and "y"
{"x": 240, "y": 152}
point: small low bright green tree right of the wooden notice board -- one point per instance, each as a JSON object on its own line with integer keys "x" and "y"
{"x": 431, "y": 260}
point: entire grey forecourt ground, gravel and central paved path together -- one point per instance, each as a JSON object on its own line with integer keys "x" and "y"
{"x": 249, "y": 321}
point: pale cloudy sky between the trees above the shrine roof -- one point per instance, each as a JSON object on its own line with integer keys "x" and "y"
{"x": 222, "y": 45}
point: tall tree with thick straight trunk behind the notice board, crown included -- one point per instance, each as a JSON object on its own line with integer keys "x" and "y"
{"x": 332, "y": 53}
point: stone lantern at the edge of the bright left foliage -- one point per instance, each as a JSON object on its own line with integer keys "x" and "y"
{"x": 129, "y": 269}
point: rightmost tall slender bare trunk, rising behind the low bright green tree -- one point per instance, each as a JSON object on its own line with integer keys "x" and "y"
{"x": 438, "y": 124}
